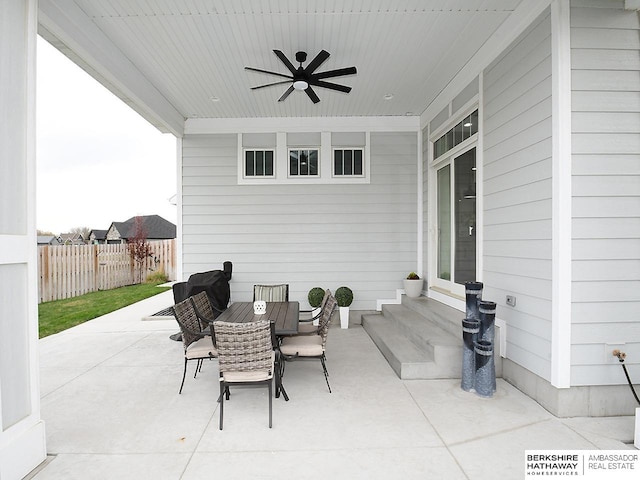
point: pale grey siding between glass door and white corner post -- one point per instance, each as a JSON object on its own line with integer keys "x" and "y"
{"x": 517, "y": 194}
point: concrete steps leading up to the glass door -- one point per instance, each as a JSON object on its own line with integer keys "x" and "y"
{"x": 415, "y": 347}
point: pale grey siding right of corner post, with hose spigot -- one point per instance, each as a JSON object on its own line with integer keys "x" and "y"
{"x": 606, "y": 190}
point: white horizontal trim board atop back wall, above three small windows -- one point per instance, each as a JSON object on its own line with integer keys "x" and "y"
{"x": 302, "y": 124}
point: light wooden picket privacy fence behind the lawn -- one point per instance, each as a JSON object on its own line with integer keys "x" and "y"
{"x": 67, "y": 271}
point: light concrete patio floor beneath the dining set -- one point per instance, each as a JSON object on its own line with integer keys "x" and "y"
{"x": 112, "y": 411}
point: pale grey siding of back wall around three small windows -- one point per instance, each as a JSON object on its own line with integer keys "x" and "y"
{"x": 363, "y": 236}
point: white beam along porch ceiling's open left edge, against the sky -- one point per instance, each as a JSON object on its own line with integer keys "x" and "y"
{"x": 65, "y": 24}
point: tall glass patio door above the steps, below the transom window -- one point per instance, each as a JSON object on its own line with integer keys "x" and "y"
{"x": 456, "y": 222}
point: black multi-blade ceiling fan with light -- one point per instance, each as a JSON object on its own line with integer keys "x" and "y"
{"x": 304, "y": 78}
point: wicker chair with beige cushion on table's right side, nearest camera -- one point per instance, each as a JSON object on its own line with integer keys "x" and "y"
{"x": 304, "y": 346}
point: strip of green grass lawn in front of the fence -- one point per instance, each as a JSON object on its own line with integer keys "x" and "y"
{"x": 59, "y": 315}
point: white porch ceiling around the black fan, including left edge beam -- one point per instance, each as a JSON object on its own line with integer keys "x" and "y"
{"x": 169, "y": 58}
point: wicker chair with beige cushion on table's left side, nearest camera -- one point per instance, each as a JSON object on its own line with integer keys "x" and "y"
{"x": 198, "y": 345}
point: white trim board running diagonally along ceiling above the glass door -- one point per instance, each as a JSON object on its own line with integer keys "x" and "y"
{"x": 525, "y": 13}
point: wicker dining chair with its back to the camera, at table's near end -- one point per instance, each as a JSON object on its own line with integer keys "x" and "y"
{"x": 245, "y": 357}
